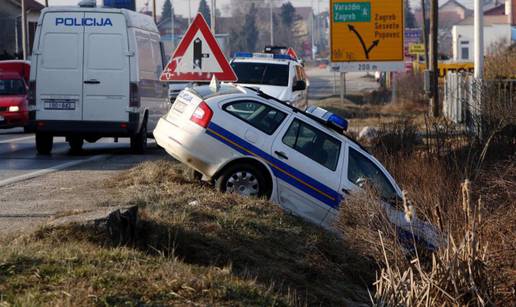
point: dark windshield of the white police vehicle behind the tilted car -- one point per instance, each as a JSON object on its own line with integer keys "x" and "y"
{"x": 261, "y": 73}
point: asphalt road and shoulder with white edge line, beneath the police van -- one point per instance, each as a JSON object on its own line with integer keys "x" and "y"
{"x": 36, "y": 189}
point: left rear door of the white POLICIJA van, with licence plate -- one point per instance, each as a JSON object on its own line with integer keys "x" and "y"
{"x": 59, "y": 67}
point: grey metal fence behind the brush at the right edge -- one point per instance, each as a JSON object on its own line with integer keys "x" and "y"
{"x": 479, "y": 105}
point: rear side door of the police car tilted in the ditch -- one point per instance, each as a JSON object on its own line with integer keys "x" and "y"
{"x": 307, "y": 169}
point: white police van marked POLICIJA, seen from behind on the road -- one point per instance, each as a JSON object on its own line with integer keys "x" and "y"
{"x": 95, "y": 73}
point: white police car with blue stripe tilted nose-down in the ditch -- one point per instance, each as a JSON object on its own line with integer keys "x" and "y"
{"x": 248, "y": 142}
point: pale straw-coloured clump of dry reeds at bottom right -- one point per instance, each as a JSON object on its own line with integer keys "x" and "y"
{"x": 458, "y": 274}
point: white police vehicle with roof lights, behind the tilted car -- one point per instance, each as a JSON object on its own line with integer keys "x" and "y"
{"x": 277, "y": 75}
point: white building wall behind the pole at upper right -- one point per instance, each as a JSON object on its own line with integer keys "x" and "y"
{"x": 493, "y": 34}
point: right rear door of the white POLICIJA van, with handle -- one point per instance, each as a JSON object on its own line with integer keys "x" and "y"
{"x": 106, "y": 68}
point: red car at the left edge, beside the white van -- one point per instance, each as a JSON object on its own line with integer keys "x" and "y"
{"x": 14, "y": 76}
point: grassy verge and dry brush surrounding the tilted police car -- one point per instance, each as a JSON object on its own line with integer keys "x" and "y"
{"x": 195, "y": 246}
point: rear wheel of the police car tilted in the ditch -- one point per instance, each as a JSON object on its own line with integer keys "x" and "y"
{"x": 244, "y": 179}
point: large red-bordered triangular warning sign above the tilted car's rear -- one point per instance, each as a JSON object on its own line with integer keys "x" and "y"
{"x": 198, "y": 57}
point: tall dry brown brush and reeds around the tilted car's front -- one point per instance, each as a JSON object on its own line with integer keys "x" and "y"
{"x": 477, "y": 266}
